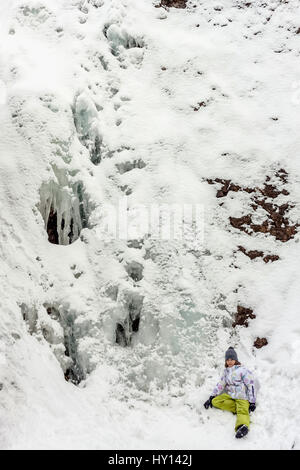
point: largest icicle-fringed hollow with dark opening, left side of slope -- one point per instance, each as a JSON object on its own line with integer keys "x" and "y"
{"x": 65, "y": 210}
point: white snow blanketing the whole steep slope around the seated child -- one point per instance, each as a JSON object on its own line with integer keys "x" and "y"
{"x": 114, "y": 101}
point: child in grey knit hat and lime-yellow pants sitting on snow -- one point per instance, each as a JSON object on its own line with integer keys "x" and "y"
{"x": 239, "y": 396}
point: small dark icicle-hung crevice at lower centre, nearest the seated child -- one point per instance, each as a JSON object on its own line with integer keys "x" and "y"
{"x": 129, "y": 325}
